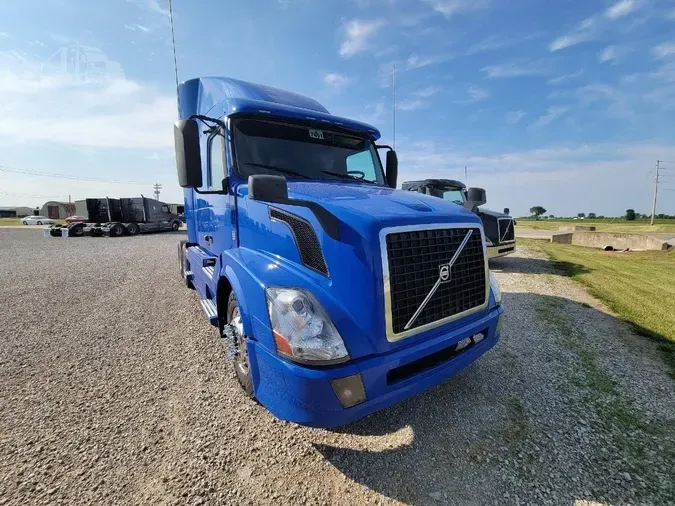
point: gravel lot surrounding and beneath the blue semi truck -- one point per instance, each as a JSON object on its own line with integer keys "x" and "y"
{"x": 115, "y": 390}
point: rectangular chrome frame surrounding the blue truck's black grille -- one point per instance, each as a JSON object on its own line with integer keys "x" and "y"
{"x": 389, "y": 330}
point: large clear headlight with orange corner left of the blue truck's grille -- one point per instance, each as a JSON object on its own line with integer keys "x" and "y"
{"x": 302, "y": 329}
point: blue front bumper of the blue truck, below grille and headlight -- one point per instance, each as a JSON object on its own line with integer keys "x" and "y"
{"x": 304, "y": 395}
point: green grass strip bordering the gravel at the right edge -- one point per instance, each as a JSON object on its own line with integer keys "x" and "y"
{"x": 639, "y": 286}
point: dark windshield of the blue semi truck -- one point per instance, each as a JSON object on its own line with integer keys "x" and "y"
{"x": 303, "y": 152}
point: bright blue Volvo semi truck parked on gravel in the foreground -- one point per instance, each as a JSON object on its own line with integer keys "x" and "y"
{"x": 337, "y": 294}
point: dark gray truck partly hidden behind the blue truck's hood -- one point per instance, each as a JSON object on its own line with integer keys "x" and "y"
{"x": 499, "y": 229}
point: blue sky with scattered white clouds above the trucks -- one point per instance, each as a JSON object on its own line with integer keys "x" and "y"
{"x": 567, "y": 104}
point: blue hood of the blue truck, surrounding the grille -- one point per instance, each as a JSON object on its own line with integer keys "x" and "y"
{"x": 352, "y": 289}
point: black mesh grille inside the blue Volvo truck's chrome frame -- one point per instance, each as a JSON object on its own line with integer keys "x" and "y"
{"x": 413, "y": 259}
